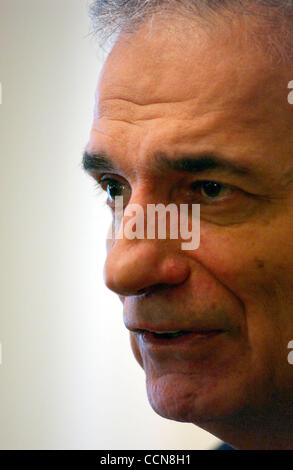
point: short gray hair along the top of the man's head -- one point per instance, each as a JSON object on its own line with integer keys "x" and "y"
{"x": 112, "y": 17}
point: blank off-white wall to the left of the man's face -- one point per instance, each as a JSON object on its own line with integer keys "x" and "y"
{"x": 67, "y": 379}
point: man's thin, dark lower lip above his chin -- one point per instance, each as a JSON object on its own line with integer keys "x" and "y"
{"x": 187, "y": 338}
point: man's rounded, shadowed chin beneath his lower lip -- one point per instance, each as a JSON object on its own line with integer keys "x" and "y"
{"x": 207, "y": 388}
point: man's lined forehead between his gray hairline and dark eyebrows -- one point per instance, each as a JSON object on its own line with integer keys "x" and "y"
{"x": 183, "y": 82}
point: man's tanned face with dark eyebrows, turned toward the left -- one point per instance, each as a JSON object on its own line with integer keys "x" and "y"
{"x": 183, "y": 94}
